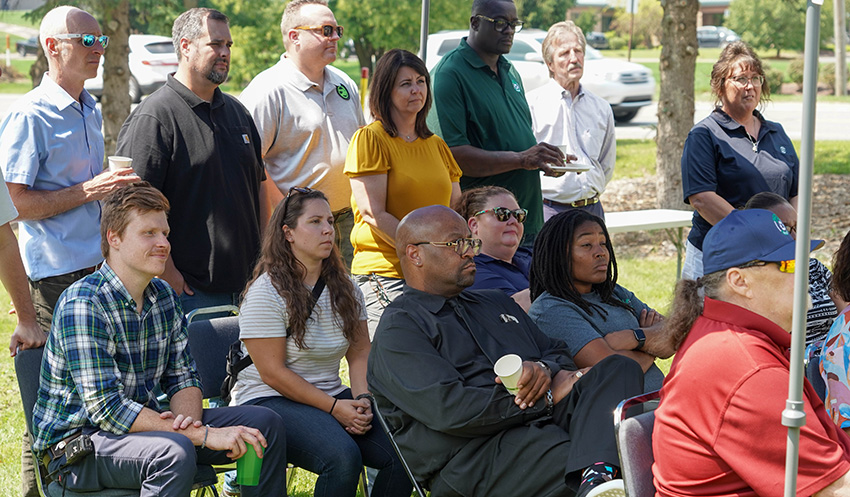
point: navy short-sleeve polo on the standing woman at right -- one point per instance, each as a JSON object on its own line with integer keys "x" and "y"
{"x": 719, "y": 156}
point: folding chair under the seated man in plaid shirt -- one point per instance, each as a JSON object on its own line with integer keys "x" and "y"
{"x": 28, "y": 371}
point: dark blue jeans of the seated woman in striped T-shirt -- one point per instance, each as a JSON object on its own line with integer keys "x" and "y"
{"x": 316, "y": 442}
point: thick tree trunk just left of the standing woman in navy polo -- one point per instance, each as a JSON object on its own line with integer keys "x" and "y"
{"x": 676, "y": 103}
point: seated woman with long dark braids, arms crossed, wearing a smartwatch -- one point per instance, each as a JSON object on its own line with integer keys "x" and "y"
{"x": 576, "y": 297}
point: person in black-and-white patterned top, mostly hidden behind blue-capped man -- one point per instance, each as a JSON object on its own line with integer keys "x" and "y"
{"x": 822, "y": 310}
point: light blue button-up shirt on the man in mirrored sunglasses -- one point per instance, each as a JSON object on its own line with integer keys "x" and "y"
{"x": 49, "y": 141}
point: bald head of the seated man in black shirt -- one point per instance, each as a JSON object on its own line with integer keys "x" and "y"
{"x": 434, "y": 268}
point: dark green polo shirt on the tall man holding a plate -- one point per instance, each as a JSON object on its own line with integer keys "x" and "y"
{"x": 474, "y": 106}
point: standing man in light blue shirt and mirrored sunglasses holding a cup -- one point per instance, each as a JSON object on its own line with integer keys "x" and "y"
{"x": 51, "y": 156}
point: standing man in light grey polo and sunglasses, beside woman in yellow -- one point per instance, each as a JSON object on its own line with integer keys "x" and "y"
{"x": 306, "y": 112}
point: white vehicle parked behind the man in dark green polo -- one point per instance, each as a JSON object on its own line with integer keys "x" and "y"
{"x": 626, "y": 86}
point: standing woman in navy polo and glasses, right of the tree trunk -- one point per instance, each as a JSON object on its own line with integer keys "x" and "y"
{"x": 734, "y": 153}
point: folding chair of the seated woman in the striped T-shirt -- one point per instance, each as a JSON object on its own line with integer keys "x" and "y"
{"x": 209, "y": 342}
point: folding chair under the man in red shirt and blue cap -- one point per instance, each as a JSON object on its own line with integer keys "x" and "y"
{"x": 634, "y": 443}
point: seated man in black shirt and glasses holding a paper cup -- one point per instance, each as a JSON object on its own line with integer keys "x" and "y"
{"x": 431, "y": 370}
